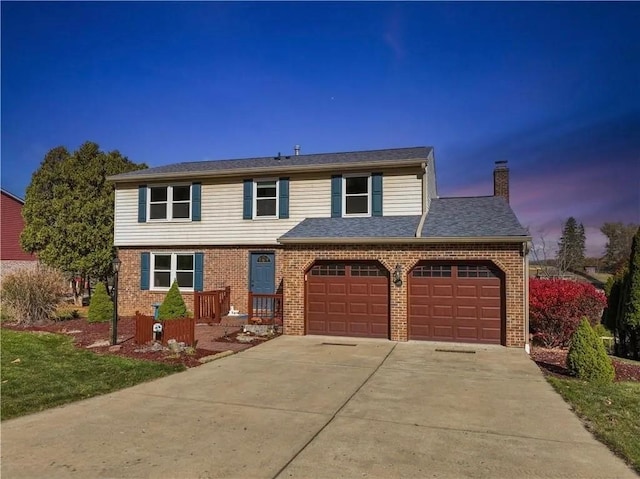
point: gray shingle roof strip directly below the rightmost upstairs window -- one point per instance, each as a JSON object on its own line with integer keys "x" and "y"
{"x": 373, "y": 227}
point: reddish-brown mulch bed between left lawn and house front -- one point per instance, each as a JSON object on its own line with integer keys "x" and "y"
{"x": 85, "y": 334}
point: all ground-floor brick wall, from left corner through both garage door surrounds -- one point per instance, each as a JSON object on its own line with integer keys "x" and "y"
{"x": 229, "y": 266}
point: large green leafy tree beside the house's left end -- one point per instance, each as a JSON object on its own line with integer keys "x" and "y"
{"x": 68, "y": 211}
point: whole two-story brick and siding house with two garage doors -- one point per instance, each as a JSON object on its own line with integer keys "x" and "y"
{"x": 358, "y": 243}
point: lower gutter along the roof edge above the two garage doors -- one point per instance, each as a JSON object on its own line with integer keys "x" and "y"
{"x": 405, "y": 239}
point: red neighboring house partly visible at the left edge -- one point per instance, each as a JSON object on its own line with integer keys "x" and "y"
{"x": 12, "y": 257}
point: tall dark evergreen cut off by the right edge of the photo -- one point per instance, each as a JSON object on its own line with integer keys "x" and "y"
{"x": 631, "y": 307}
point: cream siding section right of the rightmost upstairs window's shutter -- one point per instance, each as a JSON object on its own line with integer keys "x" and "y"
{"x": 401, "y": 195}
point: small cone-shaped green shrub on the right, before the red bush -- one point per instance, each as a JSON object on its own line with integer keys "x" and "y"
{"x": 587, "y": 357}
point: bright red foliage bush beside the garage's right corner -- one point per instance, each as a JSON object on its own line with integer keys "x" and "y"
{"x": 556, "y": 307}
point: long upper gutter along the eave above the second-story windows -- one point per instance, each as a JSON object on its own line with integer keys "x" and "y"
{"x": 266, "y": 170}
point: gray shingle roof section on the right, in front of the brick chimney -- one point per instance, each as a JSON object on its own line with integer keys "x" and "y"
{"x": 471, "y": 217}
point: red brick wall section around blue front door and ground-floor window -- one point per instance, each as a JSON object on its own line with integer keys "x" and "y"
{"x": 223, "y": 266}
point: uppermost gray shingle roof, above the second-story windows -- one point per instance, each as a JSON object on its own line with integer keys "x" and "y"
{"x": 199, "y": 168}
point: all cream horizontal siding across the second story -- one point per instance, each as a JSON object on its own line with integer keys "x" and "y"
{"x": 221, "y": 213}
